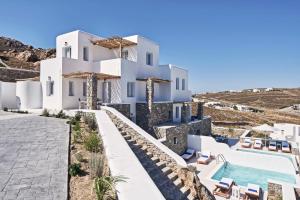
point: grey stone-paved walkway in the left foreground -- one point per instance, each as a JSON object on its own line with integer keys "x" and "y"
{"x": 33, "y": 158}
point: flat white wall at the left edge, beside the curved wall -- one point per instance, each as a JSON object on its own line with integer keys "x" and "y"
{"x": 8, "y": 96}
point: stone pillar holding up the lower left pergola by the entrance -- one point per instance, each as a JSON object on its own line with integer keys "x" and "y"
{"x": 91, "y": 97}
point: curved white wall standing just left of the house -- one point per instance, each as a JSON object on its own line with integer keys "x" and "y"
{"x": 29, "y": 94}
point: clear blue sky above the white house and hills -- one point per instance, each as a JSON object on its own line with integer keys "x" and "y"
{"x": 224, "y": 44}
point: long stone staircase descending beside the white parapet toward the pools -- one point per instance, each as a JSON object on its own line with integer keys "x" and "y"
{"x": 159, "y": 167}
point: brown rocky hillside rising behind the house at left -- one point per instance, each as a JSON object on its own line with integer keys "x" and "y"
{"x": 15, "y": 54}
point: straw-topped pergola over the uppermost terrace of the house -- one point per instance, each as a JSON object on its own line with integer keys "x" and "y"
{"x": 114, "y": 43}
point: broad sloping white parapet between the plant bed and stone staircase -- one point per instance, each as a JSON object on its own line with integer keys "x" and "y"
{"x": 122, "y": 161}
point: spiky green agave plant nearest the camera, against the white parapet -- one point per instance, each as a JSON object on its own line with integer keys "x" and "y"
{"x": 105, "y": 186}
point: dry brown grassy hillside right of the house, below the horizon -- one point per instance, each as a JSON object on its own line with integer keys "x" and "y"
{"x": 269, "y": 102}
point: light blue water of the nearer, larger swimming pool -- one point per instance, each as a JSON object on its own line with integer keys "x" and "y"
{"x": 244, "y": 175}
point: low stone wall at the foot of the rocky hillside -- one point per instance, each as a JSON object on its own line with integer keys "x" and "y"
{"x": 10, "y": 75}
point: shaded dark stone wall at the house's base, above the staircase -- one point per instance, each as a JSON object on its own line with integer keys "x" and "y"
{"x": 158, "y": 114}
